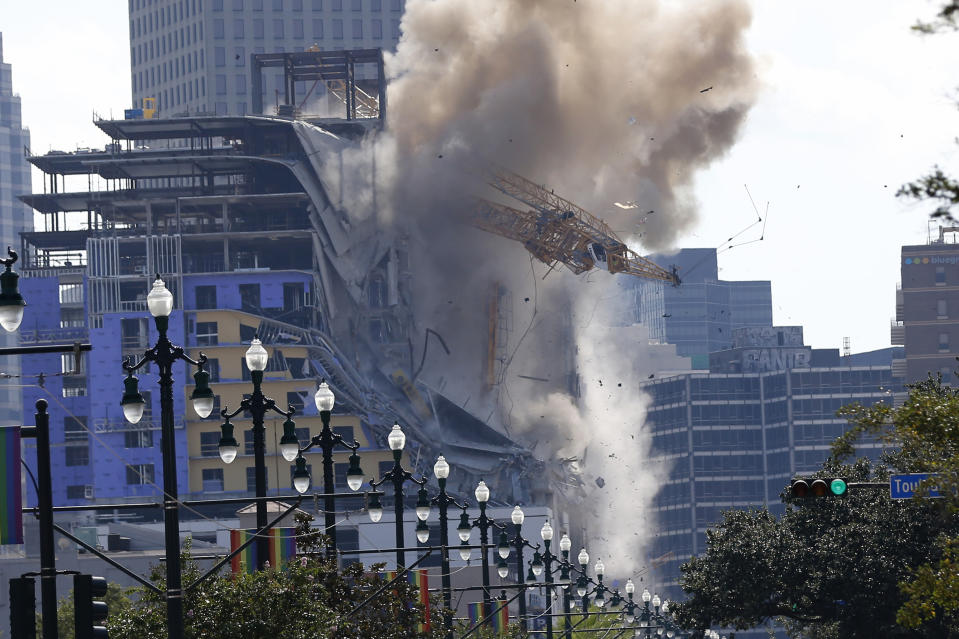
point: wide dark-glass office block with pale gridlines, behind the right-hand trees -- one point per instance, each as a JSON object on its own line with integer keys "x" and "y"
{"x": 734, "y": 436}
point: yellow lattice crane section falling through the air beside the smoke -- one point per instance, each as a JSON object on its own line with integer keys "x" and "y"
{"x": 558, "y": 231}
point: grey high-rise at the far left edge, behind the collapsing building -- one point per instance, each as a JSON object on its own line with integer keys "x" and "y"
{"x": 15, "y": 216}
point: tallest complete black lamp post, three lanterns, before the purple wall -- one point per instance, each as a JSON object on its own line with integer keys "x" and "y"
{"x": 164, "y": 354}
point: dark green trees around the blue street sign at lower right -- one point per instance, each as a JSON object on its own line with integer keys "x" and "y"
{"x": 863, "y": 565}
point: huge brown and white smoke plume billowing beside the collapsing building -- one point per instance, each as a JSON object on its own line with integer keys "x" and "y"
{"x": 604, "y": 101}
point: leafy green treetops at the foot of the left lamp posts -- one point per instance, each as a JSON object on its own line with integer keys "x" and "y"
{"x": 310, "y": 599}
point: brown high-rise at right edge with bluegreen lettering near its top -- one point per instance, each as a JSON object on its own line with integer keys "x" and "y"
{"x": 927, "y": 309}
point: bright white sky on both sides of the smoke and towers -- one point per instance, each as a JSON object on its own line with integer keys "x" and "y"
{"x": 853, "y": 104}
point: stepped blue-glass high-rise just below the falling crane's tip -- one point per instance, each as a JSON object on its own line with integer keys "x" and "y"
{"x": 701, "y": 314}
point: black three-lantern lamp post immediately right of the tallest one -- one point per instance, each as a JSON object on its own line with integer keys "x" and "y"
{"x": 258, "y": 405}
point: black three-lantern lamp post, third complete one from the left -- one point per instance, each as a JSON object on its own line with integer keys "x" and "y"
{"x": 327, "y": 440}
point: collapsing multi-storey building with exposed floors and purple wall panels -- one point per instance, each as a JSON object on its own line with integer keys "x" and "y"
{"x": 271, "y": 218}
